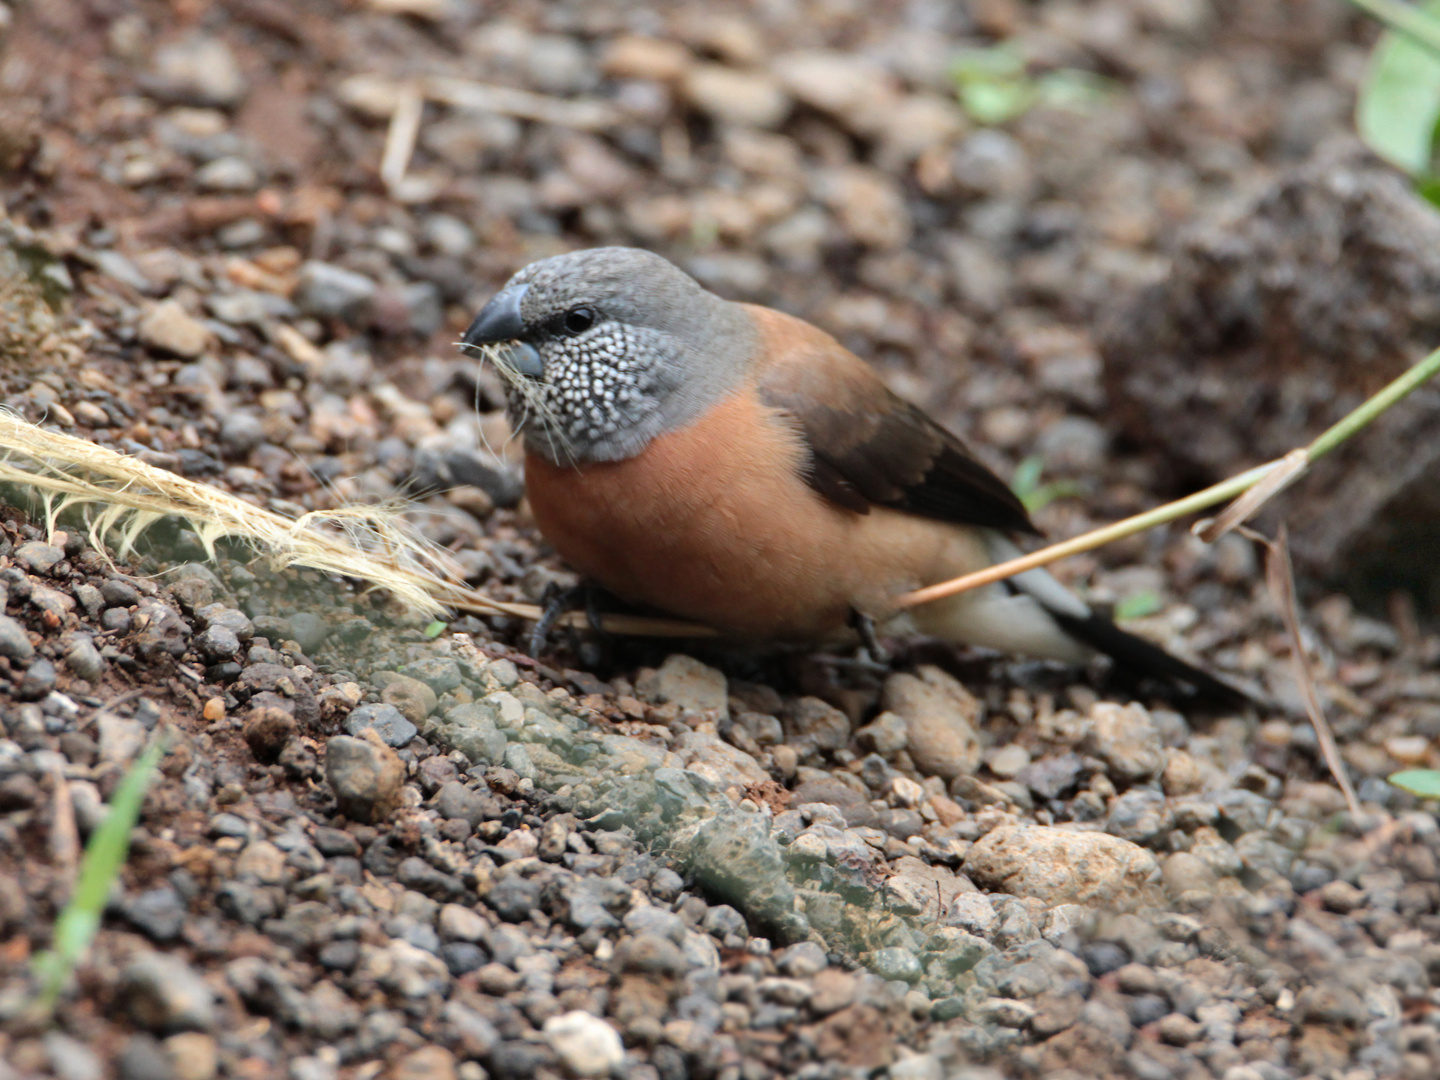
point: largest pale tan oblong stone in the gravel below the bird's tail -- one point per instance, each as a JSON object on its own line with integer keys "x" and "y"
{"x": 1062, "y": 868}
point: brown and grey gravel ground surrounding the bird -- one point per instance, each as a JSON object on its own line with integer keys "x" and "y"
{"x": 378, "y": 855}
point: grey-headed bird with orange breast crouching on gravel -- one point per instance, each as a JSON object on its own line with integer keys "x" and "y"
{"x": 735, "y": 466}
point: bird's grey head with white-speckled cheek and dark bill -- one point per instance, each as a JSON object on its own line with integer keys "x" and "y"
{"x": 606, "y": 349}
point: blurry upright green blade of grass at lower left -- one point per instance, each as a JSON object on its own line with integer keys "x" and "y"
{"x": 104, "y": 856}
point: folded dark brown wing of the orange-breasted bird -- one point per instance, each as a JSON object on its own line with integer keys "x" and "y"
{"x": 870, "y": 447}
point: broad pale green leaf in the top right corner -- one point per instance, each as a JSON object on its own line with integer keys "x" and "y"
{"x": 1400, "y": 103}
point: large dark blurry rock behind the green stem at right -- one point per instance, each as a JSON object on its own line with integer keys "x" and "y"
{"x": 1279, "y": 315}
